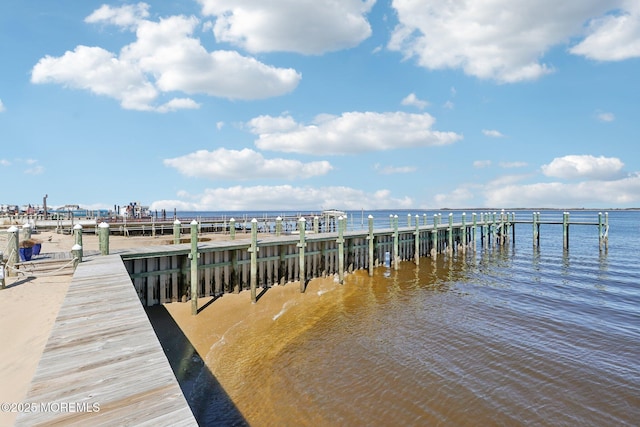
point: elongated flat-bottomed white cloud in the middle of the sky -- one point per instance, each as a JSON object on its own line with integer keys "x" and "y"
{"x": 352, "y": 132}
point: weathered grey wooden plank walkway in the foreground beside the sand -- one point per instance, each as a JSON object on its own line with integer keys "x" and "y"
{"x": 103, "y": 364}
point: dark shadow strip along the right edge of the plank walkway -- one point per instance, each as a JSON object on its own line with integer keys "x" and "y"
{"x": 210, "y": 404}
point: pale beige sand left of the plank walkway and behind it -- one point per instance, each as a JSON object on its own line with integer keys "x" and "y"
{"x": 28, "y": 309}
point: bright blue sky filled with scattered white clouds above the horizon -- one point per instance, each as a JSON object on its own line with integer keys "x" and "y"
{"x": 314, "y": 104}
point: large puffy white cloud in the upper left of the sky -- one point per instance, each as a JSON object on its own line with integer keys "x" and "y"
{"x": 165, "y": 58}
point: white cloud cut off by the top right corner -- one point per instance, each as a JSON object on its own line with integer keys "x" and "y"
{"x": 613, "y": 37}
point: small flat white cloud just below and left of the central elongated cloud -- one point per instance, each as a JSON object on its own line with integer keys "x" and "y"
{"x": 243, "y": 165}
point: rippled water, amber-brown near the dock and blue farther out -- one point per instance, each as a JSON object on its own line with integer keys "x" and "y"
{"x": 513, "y": 336}
